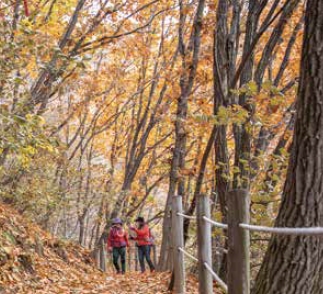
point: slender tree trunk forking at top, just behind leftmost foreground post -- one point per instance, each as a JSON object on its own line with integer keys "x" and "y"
{"x": 190, "y": 56}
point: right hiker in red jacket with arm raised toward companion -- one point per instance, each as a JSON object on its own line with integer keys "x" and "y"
{"x": 144, "y": 242}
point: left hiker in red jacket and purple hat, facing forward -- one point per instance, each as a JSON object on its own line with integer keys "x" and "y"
{"x": 117, "y": 243}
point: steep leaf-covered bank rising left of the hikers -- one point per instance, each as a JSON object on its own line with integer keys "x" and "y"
{"x": 32, "y": 260}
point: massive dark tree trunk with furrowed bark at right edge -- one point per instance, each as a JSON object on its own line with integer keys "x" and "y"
{"x": 294, "y": 265}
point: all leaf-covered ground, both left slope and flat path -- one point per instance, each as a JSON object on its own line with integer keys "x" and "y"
{"x": 32, "y": 261}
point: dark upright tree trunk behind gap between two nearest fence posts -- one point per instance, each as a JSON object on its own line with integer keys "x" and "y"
{"x": 221, "y": 73}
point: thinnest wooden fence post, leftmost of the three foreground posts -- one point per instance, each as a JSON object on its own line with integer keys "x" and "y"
{"x": 178, "y": 242}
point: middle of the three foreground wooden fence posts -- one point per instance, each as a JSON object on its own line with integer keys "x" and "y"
{"x": 204, "y": 245}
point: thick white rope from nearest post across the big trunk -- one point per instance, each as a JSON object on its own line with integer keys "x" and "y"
{"x": 284, "y": 231}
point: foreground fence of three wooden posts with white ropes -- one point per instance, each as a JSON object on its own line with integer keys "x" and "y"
{"x": 238, "y": 253}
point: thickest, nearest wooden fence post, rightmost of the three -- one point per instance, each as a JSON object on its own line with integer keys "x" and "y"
{"x": 239, "y": 242}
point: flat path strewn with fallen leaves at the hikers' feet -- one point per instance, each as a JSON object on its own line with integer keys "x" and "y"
{"x": 131, "y": 283}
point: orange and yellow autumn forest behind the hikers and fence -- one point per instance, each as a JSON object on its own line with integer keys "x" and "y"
{"x": 110, "y": 108}
